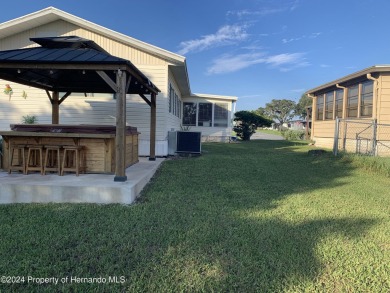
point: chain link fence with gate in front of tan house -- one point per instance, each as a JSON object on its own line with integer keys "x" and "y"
{"x": 362, "y": 137}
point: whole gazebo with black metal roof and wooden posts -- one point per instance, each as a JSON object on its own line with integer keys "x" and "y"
{"x": 65, "y": 65}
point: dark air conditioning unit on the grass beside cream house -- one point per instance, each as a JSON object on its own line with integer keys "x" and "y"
{"x": 184, "y": 142}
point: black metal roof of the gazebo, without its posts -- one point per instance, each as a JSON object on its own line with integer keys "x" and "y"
{"x": 70, "y": 64}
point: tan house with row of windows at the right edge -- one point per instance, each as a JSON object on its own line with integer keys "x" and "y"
{"x": 360, "y": 103}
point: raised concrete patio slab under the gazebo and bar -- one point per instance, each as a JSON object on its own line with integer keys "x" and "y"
{"x": 86, "y": 188}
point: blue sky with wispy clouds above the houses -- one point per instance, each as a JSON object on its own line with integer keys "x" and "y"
{"x": 257, "y": 50}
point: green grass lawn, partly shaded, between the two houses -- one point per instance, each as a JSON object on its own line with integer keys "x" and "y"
{"x": 261, "y": 216}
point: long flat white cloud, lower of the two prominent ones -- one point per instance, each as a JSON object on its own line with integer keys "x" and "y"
{"x": 283, "y": 62}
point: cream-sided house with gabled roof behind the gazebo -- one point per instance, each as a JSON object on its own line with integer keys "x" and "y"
{"x": 210, "y": 114}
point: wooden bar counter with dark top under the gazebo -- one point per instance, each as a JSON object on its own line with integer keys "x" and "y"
{"x": 98, "y": 142}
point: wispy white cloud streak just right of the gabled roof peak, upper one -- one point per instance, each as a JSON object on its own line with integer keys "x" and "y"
{"x": 228, "y": 34}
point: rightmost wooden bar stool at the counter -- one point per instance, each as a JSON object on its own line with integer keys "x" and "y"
{"x": 73, "y": 159}
